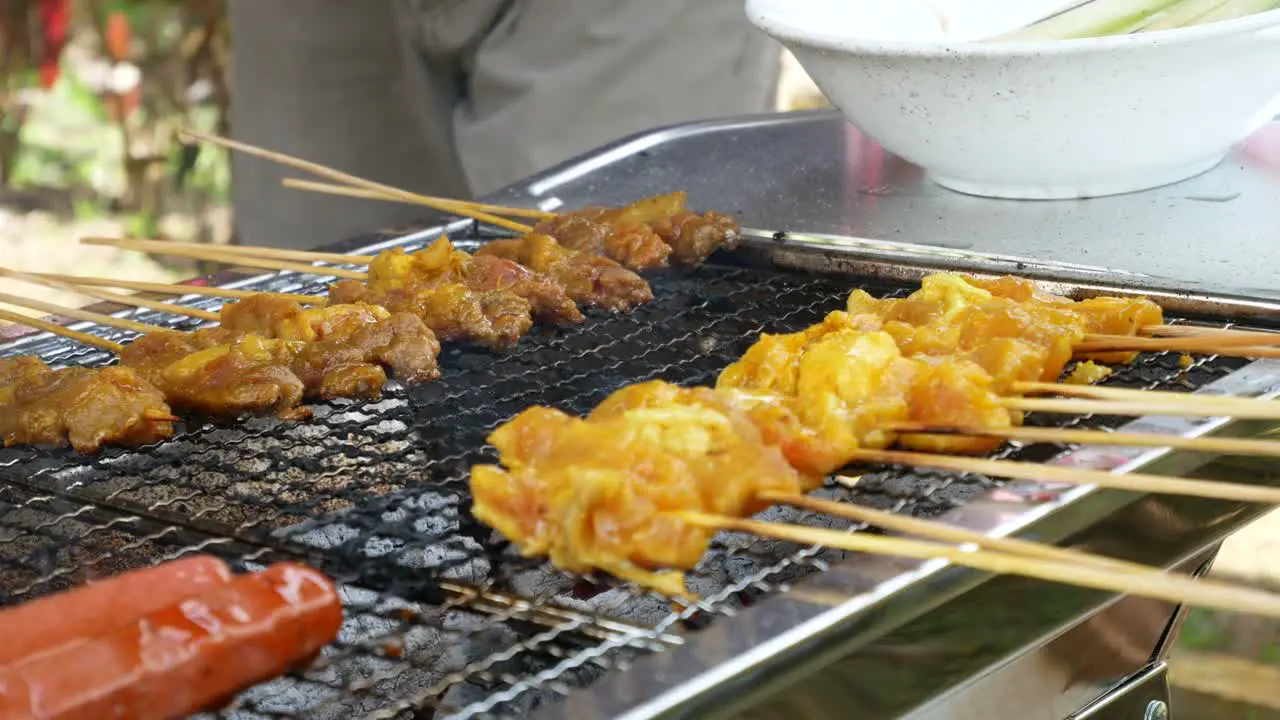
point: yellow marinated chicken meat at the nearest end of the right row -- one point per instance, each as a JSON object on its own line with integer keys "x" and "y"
{"x": 600, "y": 494}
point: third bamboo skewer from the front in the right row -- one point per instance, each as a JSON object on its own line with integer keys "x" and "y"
{"x": 1135, "y": 482}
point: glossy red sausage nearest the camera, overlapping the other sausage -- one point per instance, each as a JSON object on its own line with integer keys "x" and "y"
{"x": 184, "y": 659}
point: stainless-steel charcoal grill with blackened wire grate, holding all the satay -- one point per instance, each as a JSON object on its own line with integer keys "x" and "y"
{"x": 445, "y": 621}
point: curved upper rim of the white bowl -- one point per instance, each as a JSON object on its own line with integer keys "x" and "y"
{"x": 790, "y": 33}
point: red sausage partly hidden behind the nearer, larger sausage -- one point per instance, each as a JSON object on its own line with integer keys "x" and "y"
{"x": 97, "y": 608}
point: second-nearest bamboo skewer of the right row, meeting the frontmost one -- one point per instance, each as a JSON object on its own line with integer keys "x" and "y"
{"x": 944, "y": 532}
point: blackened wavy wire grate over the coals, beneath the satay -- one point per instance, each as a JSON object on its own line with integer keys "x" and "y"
{"x": 376, "y": 494}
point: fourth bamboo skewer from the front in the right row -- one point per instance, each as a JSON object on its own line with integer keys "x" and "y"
{"x": 1223, "y": 446}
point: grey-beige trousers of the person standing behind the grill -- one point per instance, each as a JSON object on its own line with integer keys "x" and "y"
{"x": 461, "y": 98}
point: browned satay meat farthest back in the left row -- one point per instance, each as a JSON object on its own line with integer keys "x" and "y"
{"x": 588, "y": 280}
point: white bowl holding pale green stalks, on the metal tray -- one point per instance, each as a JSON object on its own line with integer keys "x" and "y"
{"x": 1075, "y": 119}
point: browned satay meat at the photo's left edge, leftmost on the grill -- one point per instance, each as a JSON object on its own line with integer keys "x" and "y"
{"x": 86, "y": 408}
